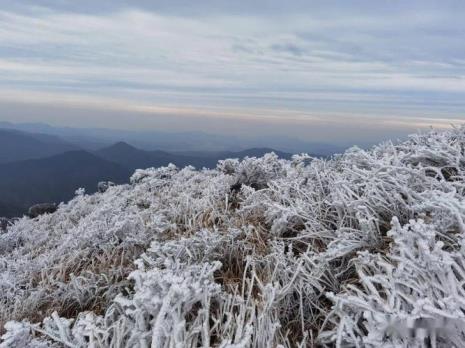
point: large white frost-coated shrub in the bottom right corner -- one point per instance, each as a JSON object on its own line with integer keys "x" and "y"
{"x": 417, "y": 285}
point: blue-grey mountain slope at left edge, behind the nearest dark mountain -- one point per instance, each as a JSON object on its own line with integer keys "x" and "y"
{"x": 18, "y": 146}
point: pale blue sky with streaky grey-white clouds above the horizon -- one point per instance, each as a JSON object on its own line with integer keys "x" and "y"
{"x": 323, "y": 70}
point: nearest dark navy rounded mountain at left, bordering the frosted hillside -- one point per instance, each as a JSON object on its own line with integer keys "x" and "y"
{"x": 52, "y": 179}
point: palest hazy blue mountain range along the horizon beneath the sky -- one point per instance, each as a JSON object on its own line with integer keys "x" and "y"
{"x": 95, "y": 138}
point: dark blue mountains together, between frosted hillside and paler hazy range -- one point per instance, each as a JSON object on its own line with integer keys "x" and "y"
{"x": 37, "y": 168}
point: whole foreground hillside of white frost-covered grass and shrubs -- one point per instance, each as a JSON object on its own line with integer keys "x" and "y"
{"x": 366, "y": 249}
